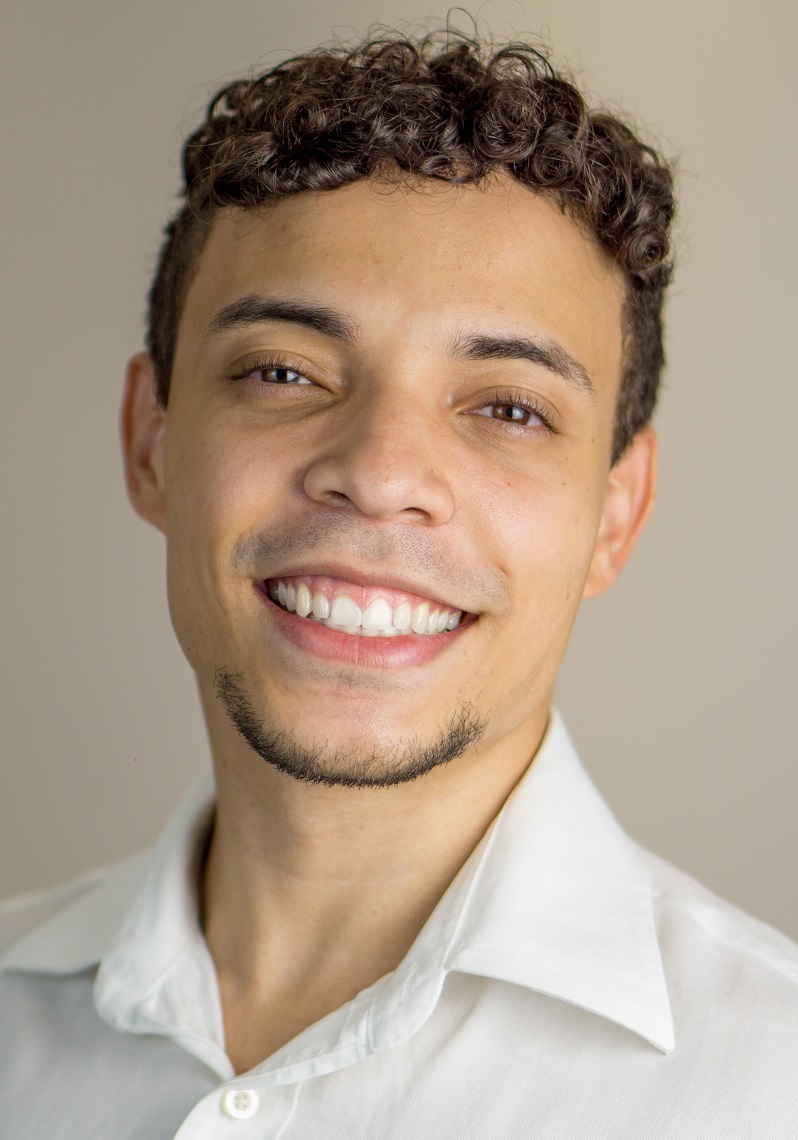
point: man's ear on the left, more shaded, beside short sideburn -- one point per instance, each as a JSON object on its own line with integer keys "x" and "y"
{"x": 143, "y": 426}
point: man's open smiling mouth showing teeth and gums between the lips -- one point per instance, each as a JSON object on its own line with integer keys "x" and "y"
{"x": 363, "y": 612}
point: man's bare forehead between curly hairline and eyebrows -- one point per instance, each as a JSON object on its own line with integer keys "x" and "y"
{"x": 422, "y": 260}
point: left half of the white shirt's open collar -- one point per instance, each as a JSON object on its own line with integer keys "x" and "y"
{"x": 141, "y": 925}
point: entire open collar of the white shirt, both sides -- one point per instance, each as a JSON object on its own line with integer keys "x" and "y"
{"x": 555, "y": 899}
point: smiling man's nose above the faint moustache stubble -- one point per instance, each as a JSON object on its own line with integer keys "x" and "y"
{"x": 386, "y": 461}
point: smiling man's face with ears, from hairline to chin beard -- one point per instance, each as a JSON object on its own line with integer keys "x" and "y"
{"x": 385, "y": 471}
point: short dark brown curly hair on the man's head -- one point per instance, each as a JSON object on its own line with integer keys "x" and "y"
{"x": 444, "y": 108}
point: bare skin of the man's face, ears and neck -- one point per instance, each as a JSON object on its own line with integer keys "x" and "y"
{"x": 392, "y": 463}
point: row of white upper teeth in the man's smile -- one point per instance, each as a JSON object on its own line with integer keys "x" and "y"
{"x": 377, "y": 621}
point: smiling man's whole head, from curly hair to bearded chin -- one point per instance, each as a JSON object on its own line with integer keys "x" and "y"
{"x": 400, "y": 226}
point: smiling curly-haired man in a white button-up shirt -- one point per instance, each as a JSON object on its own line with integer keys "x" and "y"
{"x": 394, "y": 422}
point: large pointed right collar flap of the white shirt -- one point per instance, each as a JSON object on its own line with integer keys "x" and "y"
{"x": 563, "y": 903}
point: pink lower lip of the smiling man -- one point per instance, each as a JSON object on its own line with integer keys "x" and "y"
{"x": 402, "y": 653}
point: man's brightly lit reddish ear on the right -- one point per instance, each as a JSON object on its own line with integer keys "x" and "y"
{"x": 631, "y": 493}
